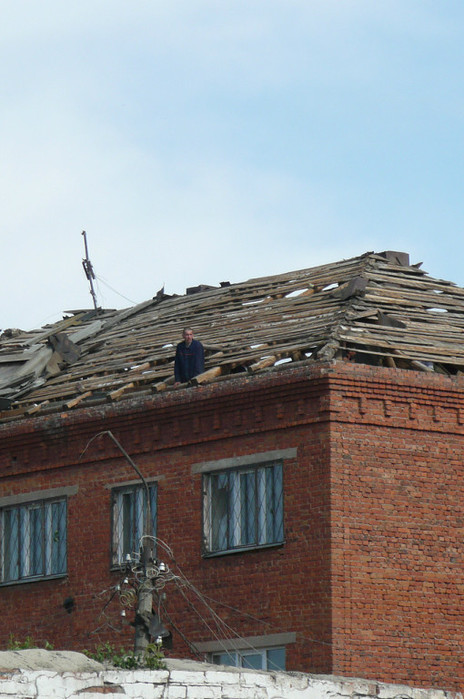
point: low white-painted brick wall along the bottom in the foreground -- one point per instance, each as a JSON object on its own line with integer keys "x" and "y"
{"x": 202, "y": 682}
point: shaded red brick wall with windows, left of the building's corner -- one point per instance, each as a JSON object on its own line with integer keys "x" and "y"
{"x": 283, "y": 588}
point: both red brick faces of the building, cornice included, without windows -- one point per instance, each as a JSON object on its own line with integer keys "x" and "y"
{"x": 370, "y": 575}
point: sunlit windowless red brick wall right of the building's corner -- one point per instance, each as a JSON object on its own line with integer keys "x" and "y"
{"x": 398, "y": 526}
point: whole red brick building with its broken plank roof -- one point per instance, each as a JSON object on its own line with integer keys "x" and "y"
{"x": 306, "y": 491}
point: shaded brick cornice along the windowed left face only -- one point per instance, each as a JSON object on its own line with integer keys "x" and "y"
{"x": 273, "y": 401}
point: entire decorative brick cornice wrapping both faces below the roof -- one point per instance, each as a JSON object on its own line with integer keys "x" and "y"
{"x": 275, "y": 400}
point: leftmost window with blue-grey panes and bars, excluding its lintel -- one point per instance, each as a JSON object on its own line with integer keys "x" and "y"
{"x": 33, "y": 540}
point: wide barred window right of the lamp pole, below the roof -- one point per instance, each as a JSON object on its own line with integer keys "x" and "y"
{"x": 243, "y": 508}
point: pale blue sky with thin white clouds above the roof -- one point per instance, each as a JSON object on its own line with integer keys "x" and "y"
{"x": 221, "y": 140}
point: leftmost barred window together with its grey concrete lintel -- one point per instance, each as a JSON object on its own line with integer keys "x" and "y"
{"x": 32, "y": 516}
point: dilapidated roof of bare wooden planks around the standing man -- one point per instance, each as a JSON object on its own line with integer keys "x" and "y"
{"x": 374, "y": 309}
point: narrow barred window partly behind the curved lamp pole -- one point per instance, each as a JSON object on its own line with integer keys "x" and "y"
{"x": 129, "y": 517}
